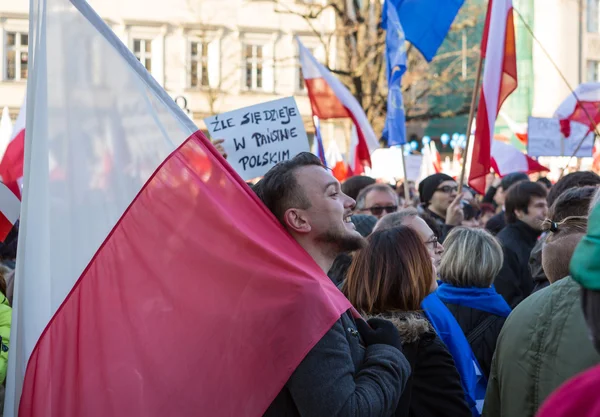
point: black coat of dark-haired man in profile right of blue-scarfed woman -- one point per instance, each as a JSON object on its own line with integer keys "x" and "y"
{"x": 514, "y": 282}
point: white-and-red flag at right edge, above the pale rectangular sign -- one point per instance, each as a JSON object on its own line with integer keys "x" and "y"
{"x": 582, "y": 106}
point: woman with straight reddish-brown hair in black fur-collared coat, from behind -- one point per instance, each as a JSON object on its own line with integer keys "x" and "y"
{"x": 390, "y": 278}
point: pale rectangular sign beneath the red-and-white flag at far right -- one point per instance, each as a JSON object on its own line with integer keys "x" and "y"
{"x": 544, "y": 138}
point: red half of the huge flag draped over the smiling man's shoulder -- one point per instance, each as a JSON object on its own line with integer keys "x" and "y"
{"x": 207, "y": 311}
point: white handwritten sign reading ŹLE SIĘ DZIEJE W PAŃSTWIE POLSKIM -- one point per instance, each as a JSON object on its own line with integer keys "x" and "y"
{"x": 260, "y": 136}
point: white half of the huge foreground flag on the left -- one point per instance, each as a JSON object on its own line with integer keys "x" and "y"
{"x": 92, "y": 103}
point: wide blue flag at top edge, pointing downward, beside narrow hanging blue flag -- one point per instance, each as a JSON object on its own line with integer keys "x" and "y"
{"x": 427, "y": 22}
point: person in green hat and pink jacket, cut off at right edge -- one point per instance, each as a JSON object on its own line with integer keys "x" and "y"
{"x": 579, "y": 396}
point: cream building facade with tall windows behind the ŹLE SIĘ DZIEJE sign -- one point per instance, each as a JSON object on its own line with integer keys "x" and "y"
{"x": 211, "y": 56}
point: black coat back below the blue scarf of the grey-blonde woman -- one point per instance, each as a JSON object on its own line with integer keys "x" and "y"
{"x": 481, "y": 330}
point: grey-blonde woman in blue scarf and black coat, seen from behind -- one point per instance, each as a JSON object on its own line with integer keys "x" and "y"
{"x": 472, "y": 259}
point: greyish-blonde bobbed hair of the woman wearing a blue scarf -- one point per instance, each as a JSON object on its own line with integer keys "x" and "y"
{"x": 473, "y": 258}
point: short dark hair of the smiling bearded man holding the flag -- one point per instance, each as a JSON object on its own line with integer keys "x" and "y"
{"x": 279, "y": 189}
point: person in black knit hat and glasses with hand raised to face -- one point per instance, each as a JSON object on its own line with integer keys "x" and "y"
{"x": 441, "y": 201}
